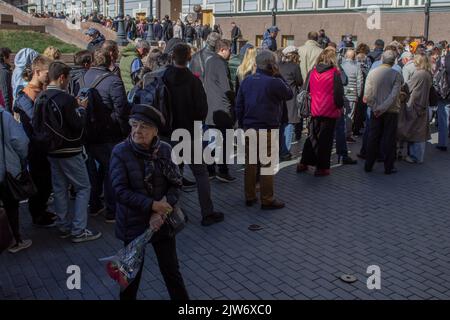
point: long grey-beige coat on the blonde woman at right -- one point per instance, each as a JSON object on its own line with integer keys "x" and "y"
{"x": 413, "y": 125}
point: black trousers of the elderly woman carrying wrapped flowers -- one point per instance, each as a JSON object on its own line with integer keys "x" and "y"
{"x": 166, "y": 253}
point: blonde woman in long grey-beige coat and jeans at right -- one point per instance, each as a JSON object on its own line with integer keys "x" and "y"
{"x": 413, "y": 122}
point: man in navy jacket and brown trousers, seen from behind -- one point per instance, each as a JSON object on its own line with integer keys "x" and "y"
{"x": 260, "y": 106}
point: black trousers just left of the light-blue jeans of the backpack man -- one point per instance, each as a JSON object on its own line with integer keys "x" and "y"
{"x": 42, "y": 177}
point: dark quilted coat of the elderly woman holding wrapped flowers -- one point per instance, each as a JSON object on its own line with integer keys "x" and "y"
{"x": 133, "y": 203}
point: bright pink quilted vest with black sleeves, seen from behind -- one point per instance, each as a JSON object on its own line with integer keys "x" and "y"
{"x": 327, "y": 92}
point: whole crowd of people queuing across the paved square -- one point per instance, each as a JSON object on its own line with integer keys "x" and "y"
{"x": 99, "y": 132}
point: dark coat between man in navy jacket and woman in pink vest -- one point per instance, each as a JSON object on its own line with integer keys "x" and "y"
{"x": 291, "y": 73}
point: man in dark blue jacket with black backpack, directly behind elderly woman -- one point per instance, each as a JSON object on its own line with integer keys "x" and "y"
{"x": 107, "y": 124}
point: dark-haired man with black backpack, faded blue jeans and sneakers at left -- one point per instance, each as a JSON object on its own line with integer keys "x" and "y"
{"x": 58, "y": 127}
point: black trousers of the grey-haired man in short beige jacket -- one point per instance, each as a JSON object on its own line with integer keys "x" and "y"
{"x": 382, "y": 135}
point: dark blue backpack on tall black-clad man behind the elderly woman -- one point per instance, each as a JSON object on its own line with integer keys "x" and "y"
{"x": 155, "y": 93}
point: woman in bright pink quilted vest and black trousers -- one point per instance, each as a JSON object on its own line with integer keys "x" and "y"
{"x": 327, "y": 101}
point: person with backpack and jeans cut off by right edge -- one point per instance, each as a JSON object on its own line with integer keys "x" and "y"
{"x": 441, "y": 81}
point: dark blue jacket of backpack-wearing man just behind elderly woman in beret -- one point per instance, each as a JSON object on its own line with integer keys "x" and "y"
{"x": 112, "y": 92}
